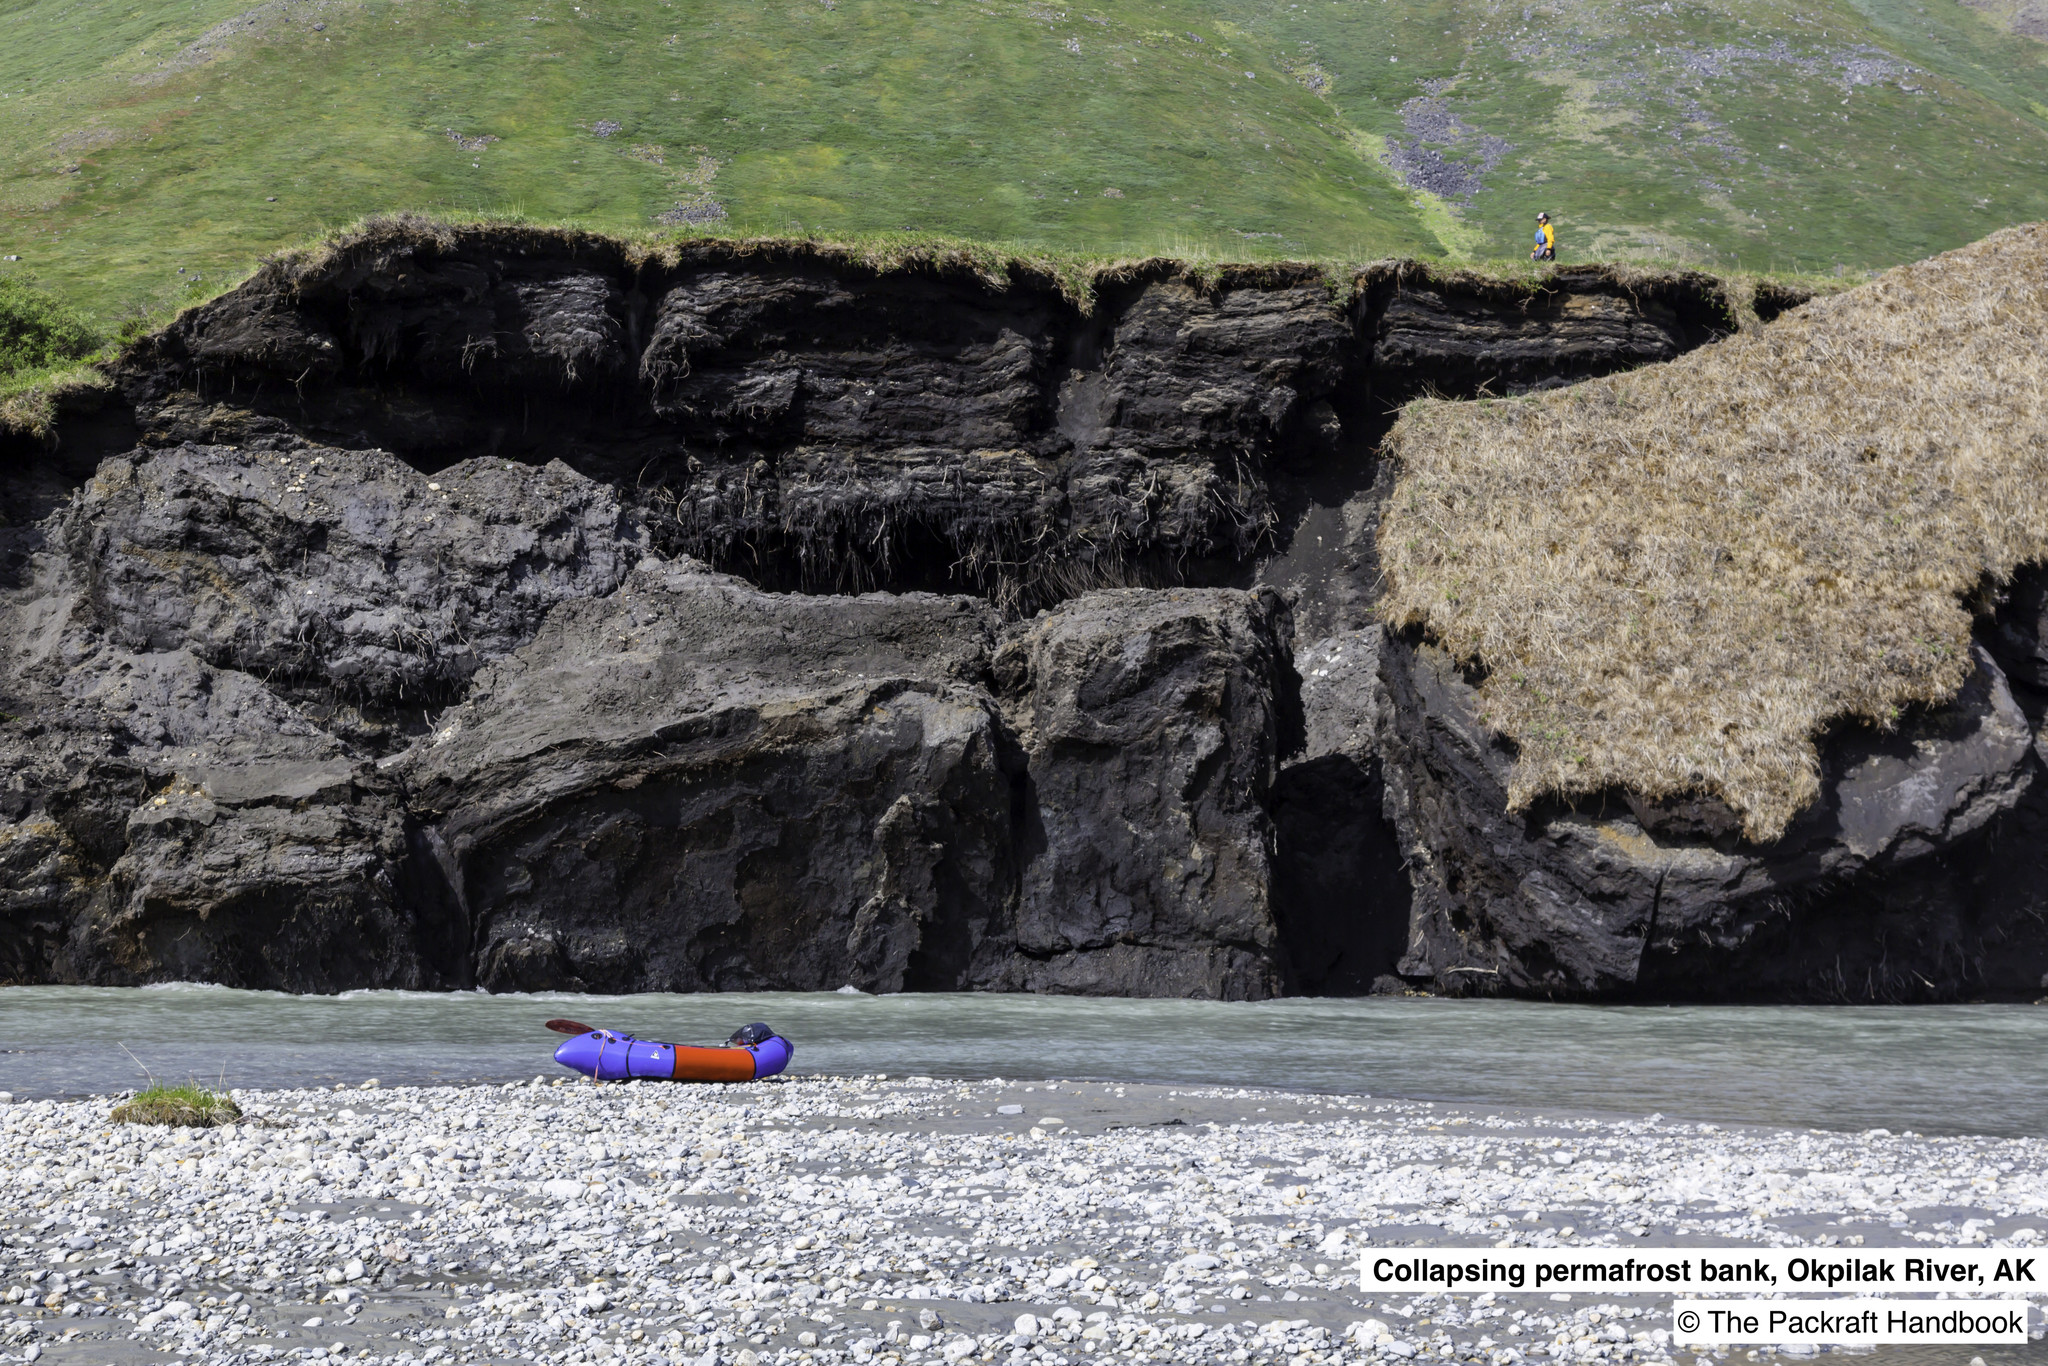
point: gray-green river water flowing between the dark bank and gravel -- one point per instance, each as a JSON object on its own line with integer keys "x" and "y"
{"x": 1924, "y": 1068}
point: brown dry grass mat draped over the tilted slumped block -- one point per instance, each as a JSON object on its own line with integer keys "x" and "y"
{"x": 1678, "y": 577}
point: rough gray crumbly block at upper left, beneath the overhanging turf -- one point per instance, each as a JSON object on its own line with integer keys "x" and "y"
{"x": 341, "y": 574}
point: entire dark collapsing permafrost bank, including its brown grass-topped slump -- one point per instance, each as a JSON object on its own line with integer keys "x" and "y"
{"x": 527, "y": 609}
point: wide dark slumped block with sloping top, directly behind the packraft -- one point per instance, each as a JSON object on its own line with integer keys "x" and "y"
{"x": 695, "y": 785}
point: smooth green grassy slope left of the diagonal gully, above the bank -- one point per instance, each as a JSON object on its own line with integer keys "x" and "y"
{"x": 144, "y": 146}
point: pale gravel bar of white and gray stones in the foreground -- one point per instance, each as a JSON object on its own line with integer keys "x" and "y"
{"x": 910, "y": 1220}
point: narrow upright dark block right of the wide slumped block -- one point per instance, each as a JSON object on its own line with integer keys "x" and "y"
{"x": 1187, "y": 687}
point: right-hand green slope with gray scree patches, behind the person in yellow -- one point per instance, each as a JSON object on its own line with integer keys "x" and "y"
{"x": 1734, "y": 134}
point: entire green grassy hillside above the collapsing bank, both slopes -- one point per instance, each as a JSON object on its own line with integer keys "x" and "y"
{"x": 153, "y": 153}
